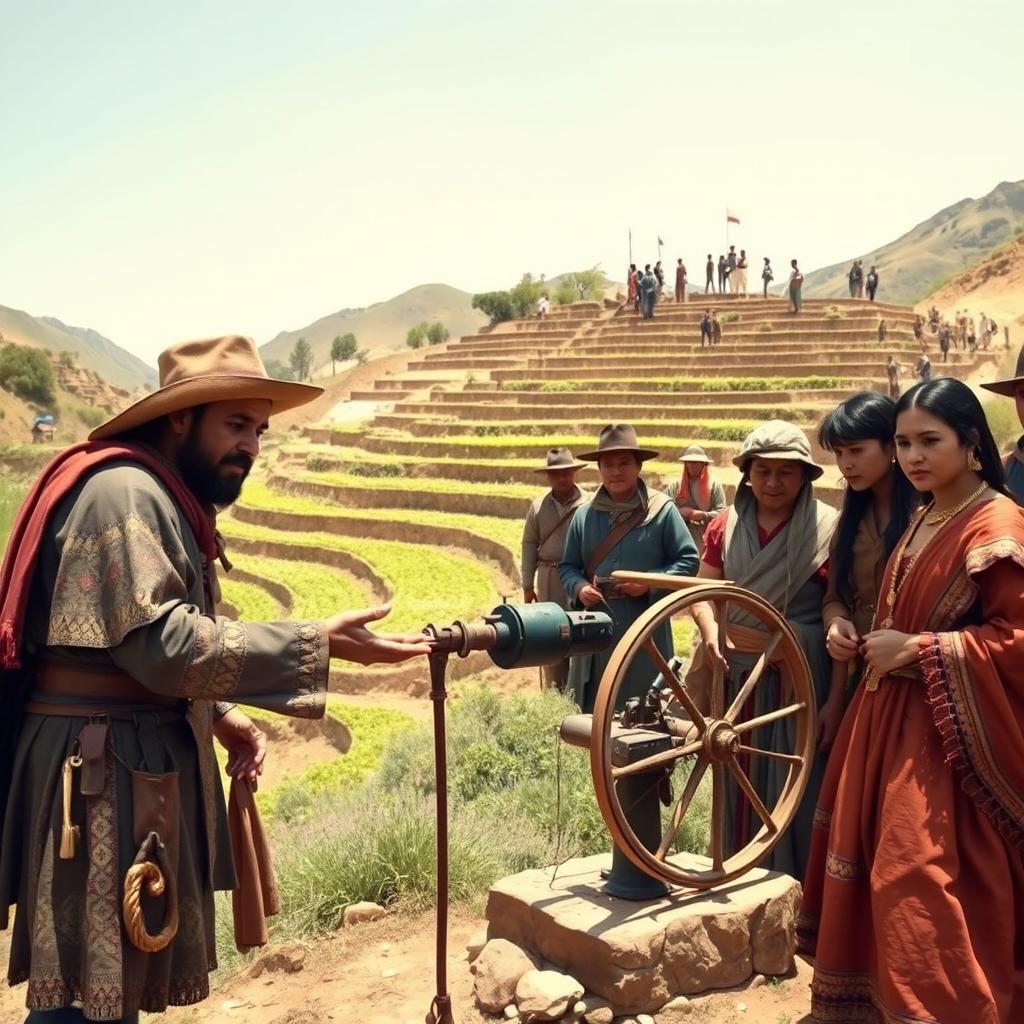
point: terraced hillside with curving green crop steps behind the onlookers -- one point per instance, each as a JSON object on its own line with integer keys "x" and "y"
{"x": 426, "y": 498}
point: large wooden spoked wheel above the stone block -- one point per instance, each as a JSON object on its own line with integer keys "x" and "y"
{"x": 720, "y": 739}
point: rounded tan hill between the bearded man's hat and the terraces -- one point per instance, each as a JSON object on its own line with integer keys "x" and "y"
{"x": 383, "y": 327}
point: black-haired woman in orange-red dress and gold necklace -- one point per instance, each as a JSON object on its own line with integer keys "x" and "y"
{"x": 914, "y": 902}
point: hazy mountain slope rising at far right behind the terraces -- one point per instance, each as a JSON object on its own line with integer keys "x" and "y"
{"x": 917, "y": 264}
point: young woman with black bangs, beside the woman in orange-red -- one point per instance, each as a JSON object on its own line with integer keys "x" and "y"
{"x": 876, "y": 510}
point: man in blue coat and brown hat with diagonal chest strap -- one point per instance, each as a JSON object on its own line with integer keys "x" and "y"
{"x": 624, "y": 527}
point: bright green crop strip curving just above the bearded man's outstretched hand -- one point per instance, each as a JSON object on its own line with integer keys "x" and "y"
{"x": 429, "y": 584}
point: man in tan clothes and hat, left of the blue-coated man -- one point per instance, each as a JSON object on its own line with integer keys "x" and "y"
{"x": 544, "y": 540}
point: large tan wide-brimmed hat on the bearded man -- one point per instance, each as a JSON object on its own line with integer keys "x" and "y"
{"x": 195, "y": 373}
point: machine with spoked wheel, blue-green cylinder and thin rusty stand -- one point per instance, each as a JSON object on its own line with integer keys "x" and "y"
{"x": 636, "y": 752}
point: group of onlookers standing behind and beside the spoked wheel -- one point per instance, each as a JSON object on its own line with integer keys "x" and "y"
{"x": 908, "y": 607}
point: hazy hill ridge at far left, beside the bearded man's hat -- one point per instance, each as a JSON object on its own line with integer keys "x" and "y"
{"x": 92, "y": 350}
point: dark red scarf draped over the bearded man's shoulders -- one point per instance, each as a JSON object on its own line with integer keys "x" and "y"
{"x": 58, "y": 480}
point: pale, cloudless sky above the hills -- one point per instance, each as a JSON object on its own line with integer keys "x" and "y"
{"x": 177, "y": 170}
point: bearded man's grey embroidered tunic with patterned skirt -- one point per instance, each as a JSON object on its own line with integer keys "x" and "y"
{"x": 120, "y": 586}
